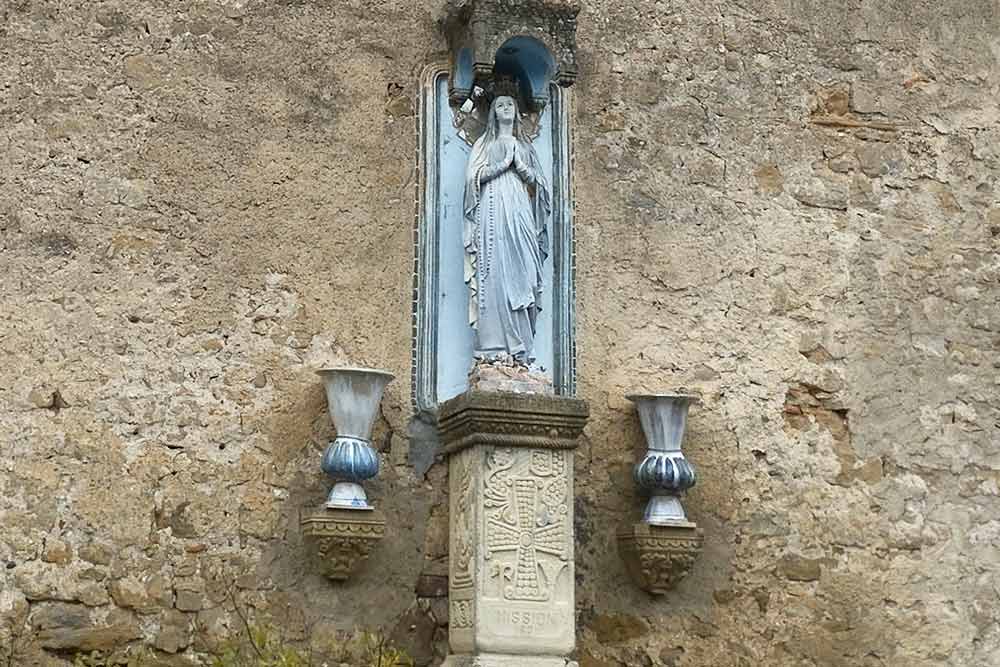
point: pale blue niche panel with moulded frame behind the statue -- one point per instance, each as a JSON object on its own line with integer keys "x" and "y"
{"x": 442, "y": 334}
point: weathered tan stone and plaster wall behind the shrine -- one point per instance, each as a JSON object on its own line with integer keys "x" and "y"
{"x": 789, "y": 206}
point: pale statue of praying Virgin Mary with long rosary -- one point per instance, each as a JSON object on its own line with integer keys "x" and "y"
{"x": 507, "y": 205}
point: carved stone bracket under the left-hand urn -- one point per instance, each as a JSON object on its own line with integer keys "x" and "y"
{"x": 342, "y": 539}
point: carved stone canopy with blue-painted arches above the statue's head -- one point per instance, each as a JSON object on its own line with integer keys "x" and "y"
{"x": 532, "y": 42}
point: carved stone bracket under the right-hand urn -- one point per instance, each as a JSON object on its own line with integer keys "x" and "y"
{"x": 657, "y": 557}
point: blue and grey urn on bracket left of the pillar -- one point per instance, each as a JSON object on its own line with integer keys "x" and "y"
{"x": 352, "y": 397}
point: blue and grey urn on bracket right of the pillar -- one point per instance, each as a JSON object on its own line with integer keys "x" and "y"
{"x": 664, "y": 472}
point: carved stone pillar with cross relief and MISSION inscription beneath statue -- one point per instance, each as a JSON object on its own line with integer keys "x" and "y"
{"x": 511, "y": 576}
